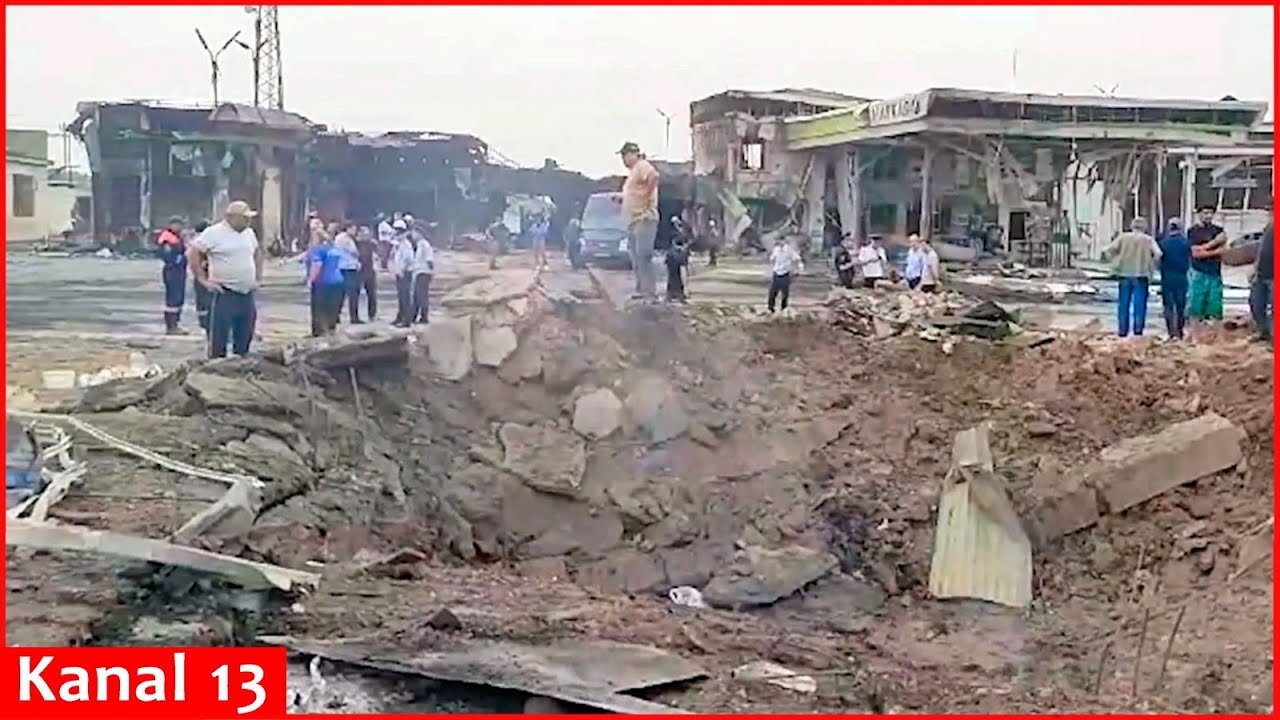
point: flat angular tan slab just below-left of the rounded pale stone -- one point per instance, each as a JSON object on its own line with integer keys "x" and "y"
{"x": 545, "y": 458}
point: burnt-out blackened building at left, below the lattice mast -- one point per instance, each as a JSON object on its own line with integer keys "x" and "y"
{"x": 152, "y": 162}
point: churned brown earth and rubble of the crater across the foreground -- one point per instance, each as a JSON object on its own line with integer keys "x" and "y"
{"x": 607, "y": 455}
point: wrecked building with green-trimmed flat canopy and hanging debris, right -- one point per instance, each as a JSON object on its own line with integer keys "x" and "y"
{"x": 1045, "y": 179}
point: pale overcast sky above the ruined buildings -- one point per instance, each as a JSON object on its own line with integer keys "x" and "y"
{"x": 573, "y": 84}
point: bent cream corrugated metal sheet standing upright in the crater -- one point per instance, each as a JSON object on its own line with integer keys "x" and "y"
{"x": 980, "y": 549}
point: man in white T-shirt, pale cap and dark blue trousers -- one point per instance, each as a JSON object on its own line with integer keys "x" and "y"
{"x": 228, "y": 261}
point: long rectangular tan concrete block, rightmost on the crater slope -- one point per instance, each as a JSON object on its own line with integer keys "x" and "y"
{"x": 1139, "y": 470}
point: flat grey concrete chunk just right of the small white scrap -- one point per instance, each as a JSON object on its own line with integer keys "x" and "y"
{"x": 764, "y": 577}
